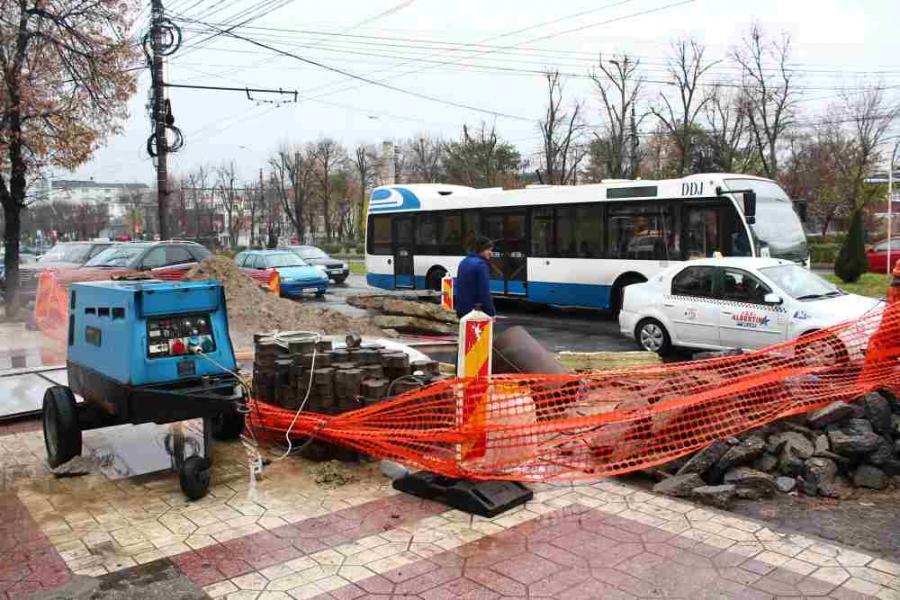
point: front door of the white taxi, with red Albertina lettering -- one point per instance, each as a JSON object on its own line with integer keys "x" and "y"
{"x": 745, "y": 320}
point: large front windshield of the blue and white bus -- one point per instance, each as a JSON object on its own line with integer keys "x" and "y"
{"x": 777, "y": 229}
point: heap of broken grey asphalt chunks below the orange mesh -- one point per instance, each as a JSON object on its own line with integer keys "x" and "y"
{"x": 827, "y": 453}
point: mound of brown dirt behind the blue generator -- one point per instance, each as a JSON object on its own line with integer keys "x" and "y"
{"x": 254, "y": 310}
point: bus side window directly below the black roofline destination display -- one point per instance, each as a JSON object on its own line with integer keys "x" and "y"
{"x": 639, "y": 232}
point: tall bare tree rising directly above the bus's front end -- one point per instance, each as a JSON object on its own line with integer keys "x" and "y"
{"x": 770, "y": 93}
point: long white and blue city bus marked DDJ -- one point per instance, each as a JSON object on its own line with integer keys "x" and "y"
{"x": 575, "y": 245}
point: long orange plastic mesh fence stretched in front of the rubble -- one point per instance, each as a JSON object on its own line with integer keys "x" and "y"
{"x": 561, "y": 427}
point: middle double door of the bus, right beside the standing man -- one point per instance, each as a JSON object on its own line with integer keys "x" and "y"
{"x": 509, "y": 271}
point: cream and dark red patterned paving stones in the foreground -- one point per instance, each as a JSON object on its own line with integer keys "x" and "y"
{"x": 286, "y": 537}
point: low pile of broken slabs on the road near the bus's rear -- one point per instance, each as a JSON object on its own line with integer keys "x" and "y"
{"x": 408, "y": 316}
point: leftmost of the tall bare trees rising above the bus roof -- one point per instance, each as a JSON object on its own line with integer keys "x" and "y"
{"x": 561, "y": 133}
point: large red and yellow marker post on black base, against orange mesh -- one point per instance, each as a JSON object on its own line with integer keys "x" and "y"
{"x": 476, "y": 333}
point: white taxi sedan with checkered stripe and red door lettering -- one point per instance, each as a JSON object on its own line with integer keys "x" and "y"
{"x": 728, "y": 303}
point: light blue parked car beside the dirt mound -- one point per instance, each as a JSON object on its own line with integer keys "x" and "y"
{"x": 295, "y": 274}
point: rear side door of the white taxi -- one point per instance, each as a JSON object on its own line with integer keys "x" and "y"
{"x": 692, "y": 307}
